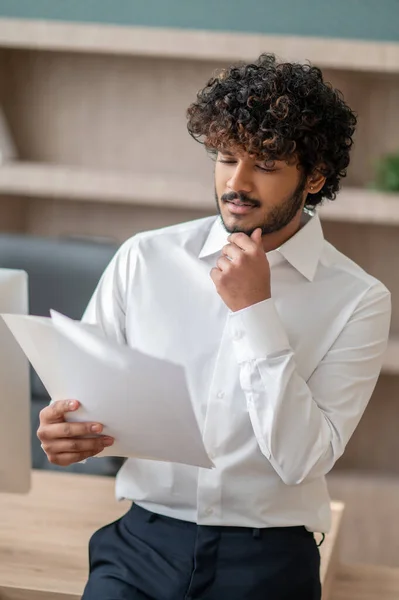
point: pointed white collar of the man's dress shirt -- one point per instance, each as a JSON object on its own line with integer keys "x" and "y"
{"x": 302, "y": 250}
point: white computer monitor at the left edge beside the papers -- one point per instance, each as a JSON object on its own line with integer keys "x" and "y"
{"x": 15, "y": 442}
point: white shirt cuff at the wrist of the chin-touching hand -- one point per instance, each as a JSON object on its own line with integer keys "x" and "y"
{"x": 257, "y": 331}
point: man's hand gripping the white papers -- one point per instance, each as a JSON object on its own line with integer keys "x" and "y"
{"x": 62, "y": 441}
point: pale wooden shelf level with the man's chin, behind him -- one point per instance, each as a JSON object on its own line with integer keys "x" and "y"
{"x": 77, "y": 183}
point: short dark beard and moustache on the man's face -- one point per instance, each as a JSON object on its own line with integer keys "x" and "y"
{"x": 277, "y": 218}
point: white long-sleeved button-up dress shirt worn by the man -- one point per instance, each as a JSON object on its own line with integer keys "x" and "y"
{"x": 278, "y": 388}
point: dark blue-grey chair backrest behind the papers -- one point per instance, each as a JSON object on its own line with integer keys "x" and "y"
{"x": 63, "y": 274}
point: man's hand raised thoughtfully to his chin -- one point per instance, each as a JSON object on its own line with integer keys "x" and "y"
{"x": 243, "y": 278}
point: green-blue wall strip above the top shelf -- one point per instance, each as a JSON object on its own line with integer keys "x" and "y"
{"x": 357, "y": 19}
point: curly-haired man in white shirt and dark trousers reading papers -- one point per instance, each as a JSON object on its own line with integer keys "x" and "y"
{"x": 282, "y": 339}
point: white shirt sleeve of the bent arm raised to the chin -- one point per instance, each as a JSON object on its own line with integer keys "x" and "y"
{"x": 302, "y": 427}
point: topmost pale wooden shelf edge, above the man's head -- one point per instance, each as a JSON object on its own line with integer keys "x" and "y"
{"x": 197, "y": 45}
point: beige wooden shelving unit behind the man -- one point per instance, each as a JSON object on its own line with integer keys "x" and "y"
{"x": 97, "y": 113}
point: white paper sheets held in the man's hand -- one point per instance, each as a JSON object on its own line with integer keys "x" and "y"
{"x": 143, "y": 402}
